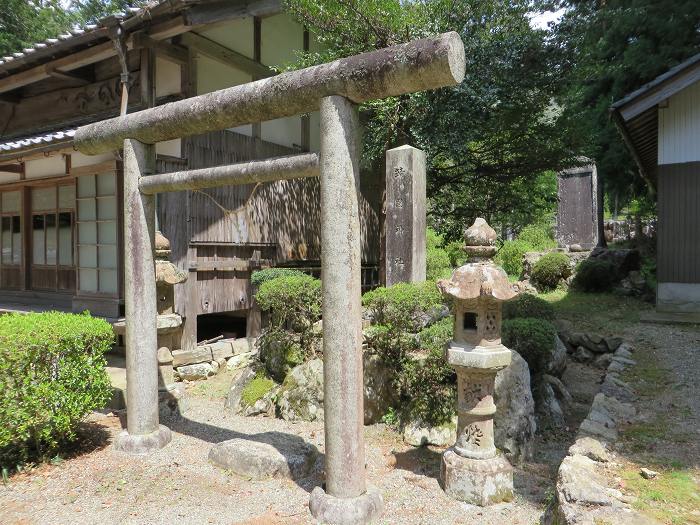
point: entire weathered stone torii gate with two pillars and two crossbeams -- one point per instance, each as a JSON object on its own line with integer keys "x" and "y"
{"x": 335, "y": 88}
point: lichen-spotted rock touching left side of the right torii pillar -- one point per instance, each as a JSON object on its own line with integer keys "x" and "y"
{"x": 300, "y": 398}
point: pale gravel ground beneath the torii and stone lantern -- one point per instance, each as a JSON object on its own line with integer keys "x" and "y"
{"x": 178, "y": 485}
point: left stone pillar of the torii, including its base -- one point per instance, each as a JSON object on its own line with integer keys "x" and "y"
{"x": 143, "y": 432}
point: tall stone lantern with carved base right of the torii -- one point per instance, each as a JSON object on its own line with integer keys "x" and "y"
{"x": 473, "y": 470}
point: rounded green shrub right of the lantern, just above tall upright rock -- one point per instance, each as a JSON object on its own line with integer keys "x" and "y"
{"x": 533, "y": 339}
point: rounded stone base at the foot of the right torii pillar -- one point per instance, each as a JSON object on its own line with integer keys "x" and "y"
{"x": 346, "y": 511}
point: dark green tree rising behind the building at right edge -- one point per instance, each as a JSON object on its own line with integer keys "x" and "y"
{"x": 609, "y": 48}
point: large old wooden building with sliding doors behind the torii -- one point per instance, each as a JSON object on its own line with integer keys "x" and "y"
{"x": 61, "y": 211}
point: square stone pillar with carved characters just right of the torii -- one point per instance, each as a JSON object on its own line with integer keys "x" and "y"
{"x": 405, "y": 215}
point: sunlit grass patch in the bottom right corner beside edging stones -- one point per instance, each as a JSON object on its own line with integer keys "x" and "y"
{"x": 672, "y": 497}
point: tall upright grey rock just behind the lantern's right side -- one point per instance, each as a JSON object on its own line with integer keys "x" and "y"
{"x": 514, "y": 423}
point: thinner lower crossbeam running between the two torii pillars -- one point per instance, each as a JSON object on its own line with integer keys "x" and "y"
{"x": 300, "y": 166}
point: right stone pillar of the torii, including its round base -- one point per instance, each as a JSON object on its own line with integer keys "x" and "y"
{"x": 346, "y": 499}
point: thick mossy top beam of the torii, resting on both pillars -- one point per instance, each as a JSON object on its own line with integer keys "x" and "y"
{"x": 420, "y": 65}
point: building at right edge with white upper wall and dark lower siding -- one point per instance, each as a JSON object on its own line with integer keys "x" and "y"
{"x": 660, "y": 123}
